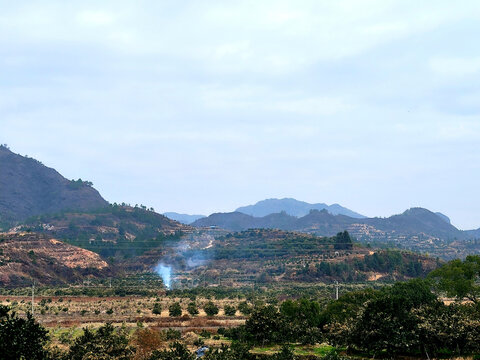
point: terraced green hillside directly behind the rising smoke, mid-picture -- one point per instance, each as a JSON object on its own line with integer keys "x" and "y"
{"x": 273, "y": 256}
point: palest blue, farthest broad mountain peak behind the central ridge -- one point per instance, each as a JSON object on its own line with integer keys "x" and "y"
{"x": 294, "y": 207}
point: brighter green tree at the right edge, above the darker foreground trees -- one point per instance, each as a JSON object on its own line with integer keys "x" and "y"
{"x": 459, "y": 278}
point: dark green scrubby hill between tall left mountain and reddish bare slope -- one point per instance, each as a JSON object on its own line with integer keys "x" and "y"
{"x": 115, "y": 231}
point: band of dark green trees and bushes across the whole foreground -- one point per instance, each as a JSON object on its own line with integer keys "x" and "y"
{"x": 405, "y": 319}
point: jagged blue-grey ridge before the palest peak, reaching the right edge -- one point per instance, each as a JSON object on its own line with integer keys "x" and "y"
{"x": 415, "y": 229}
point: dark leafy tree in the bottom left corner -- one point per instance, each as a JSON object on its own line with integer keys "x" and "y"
{"x": 21, "y": 338}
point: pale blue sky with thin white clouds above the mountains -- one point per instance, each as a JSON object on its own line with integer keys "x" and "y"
{"x": 205, "y": 106}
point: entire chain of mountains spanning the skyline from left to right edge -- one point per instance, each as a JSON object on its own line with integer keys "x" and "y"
{"x": 35, "y": 197}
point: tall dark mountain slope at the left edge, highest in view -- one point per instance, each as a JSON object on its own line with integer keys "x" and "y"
{"x": 28, "y": 188}
